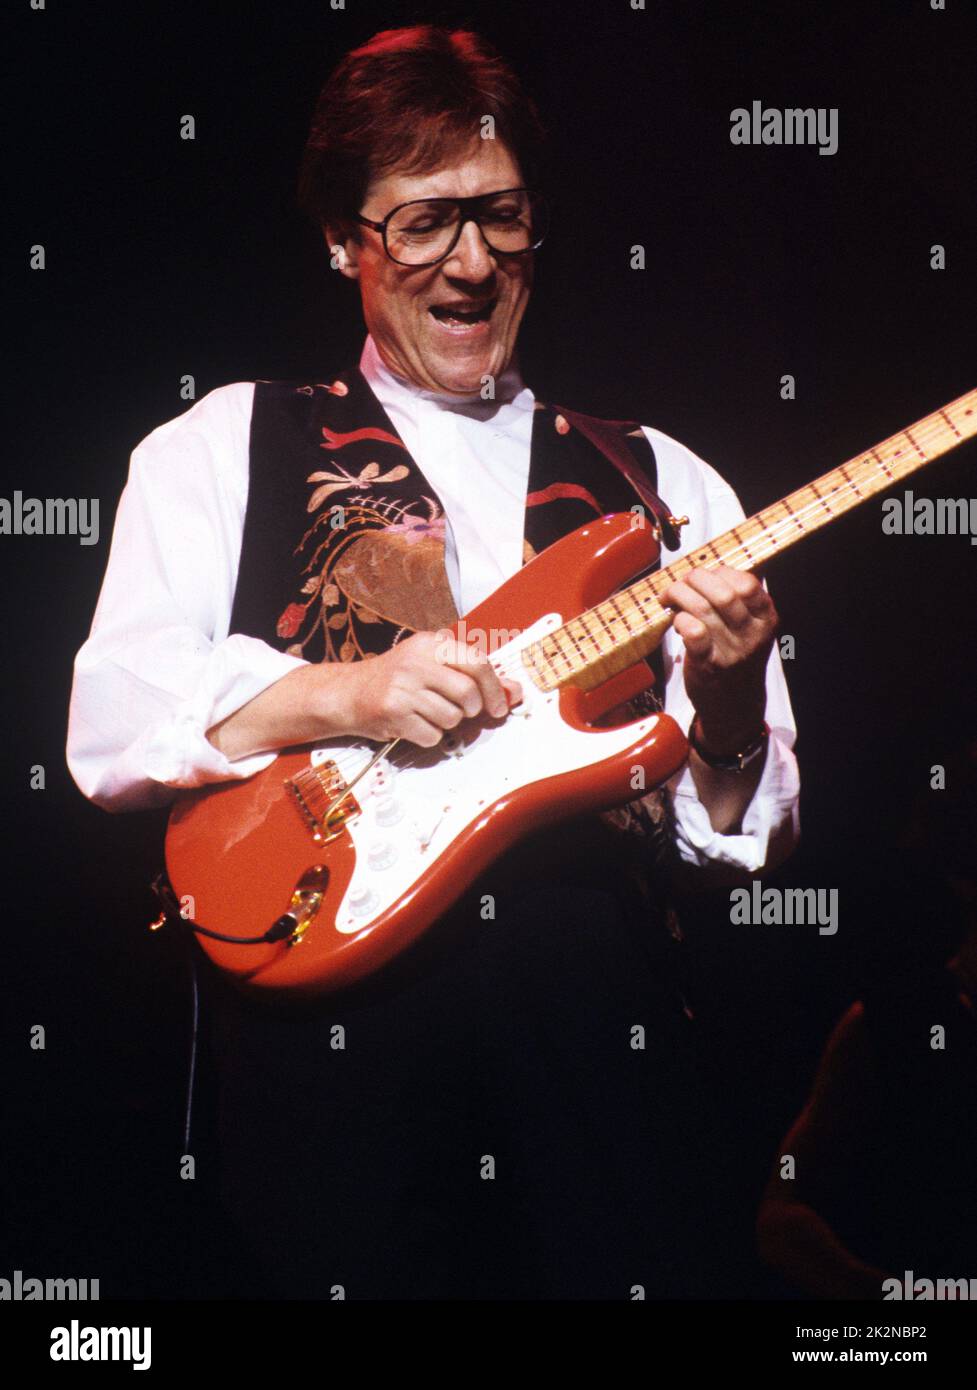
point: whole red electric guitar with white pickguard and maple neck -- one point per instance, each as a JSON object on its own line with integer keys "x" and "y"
{"x": 326, "y": 865}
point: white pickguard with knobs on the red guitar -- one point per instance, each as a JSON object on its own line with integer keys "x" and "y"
{"x": 419, "y": 801}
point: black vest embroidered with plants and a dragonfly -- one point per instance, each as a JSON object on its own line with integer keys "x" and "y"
{"x": 344, "y": 543}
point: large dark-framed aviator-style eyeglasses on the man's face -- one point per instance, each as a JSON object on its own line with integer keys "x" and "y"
{"x": 512, "y": 222}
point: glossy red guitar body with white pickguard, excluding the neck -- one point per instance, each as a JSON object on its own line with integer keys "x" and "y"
{"x": 425, "y": 824}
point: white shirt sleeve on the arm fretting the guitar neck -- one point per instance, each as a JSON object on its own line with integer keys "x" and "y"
{"x": 771, "y": 825}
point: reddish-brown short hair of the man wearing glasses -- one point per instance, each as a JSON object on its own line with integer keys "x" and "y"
{"x": 408, "y": 99}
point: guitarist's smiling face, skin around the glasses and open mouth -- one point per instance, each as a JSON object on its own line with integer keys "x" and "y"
{"x": 398, "y": 300}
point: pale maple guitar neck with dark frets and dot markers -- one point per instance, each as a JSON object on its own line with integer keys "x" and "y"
{"x": 626, "y": 628}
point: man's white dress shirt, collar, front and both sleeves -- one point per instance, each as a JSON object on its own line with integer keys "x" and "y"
{"x": 159, "y": 668}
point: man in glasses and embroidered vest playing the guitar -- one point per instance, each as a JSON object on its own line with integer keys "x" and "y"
{"x": 514, "y": 1109}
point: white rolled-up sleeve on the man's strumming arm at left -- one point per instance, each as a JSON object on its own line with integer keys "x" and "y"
{"x": 159, "y": 668}
